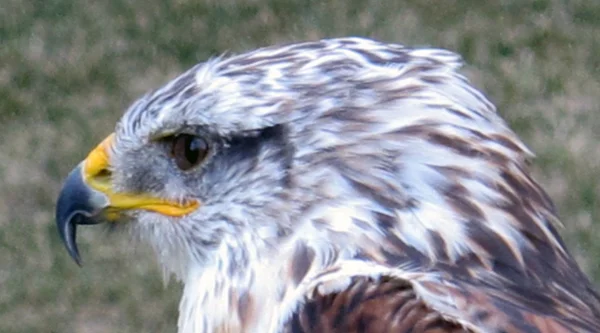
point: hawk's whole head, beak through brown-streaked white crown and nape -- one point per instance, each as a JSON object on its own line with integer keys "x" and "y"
{"x": 325, "y": 142}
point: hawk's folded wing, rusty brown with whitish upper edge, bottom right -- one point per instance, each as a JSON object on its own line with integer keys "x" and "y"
{"x": 433, "y": 302}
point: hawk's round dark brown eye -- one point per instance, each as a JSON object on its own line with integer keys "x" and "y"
{"x": 188, "y": 150}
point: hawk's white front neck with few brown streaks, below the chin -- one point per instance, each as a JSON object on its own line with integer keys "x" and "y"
{"x": 253, "y": 291}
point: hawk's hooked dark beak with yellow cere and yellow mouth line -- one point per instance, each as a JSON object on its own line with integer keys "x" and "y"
{"x": 87, "y": 197}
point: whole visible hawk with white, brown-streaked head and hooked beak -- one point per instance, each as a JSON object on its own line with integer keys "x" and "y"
{"x": 341, "y": 185}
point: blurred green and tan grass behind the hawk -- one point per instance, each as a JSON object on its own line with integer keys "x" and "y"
{"x": 68, "y": 69}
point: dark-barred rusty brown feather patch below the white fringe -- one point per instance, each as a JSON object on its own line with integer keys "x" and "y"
{"x": 389, "y": 305}
